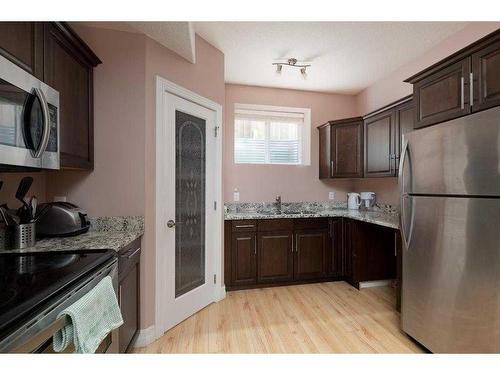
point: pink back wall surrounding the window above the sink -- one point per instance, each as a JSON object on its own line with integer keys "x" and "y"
{"x": 294, "y": 183}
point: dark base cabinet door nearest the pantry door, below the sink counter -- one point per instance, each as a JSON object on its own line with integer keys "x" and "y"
{"x": 244, "y": 259}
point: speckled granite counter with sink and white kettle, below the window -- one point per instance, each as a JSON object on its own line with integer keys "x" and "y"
{"x": 386, "y": 215}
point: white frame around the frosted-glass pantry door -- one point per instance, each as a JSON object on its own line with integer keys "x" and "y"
{"x": 162, "y": 86}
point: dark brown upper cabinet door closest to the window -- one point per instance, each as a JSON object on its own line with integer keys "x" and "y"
{"x": 347, "y": 141}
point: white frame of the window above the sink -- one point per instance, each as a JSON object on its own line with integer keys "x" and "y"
{"x": 305, "y": 141}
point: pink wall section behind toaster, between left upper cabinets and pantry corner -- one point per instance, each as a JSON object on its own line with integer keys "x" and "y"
{"x": 116, "y": 185}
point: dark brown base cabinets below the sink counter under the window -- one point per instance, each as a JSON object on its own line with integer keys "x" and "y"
{"x": 277, "y": 251}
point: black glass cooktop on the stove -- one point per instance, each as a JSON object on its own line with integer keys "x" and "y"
{"x": 27, "y": 281}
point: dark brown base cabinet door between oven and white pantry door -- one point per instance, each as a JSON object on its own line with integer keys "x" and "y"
{"x": 128, "y": 295}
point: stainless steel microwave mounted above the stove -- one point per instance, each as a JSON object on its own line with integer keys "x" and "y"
{"x": 29, "y": 120}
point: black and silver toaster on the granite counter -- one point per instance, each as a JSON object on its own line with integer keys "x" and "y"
{"x": 61, "y": 219}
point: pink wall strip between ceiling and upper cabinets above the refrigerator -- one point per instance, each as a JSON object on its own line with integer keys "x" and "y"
{"x": 392, "y": 87}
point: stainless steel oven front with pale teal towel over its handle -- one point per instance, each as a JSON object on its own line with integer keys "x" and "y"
{"x": 36, "y": 334}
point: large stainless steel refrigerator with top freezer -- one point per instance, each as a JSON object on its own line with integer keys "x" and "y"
{"x": 449, "y": 180}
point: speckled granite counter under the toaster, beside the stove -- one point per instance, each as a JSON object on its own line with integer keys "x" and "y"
{"x": 105, "y": 233}
